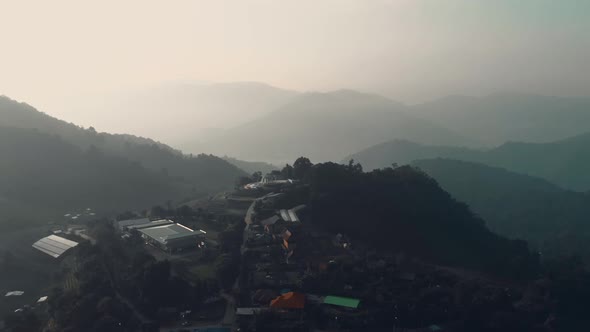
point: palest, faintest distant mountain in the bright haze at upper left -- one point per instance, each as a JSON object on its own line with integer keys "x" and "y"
{"x": 177, "y": 113}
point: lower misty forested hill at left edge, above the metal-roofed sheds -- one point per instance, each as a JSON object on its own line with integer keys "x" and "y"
{"x": 41, "y": 173}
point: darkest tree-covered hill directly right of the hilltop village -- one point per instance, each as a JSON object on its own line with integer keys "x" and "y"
{"x": 403, "y": 209}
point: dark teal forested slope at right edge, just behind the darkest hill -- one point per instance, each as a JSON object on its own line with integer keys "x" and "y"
{"x": 518, "y": 206}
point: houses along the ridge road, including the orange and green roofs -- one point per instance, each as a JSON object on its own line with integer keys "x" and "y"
{"x": 276, "y": 261}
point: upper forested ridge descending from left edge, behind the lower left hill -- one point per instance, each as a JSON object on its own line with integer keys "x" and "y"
{"x": 205, "y": 172}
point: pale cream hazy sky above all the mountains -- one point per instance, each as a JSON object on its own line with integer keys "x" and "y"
{"x": 56, "y": 51}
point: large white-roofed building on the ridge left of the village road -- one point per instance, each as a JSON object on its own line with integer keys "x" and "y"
{"x": 172, "y": 237}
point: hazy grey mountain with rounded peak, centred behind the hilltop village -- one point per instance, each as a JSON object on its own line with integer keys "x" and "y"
{"x": 325, "y": 126}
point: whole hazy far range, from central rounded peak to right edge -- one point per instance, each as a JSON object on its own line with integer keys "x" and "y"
{"x": 326, "y": 126}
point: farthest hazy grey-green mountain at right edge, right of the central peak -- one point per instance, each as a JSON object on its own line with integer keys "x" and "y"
{"x": 499, "y": 118}
